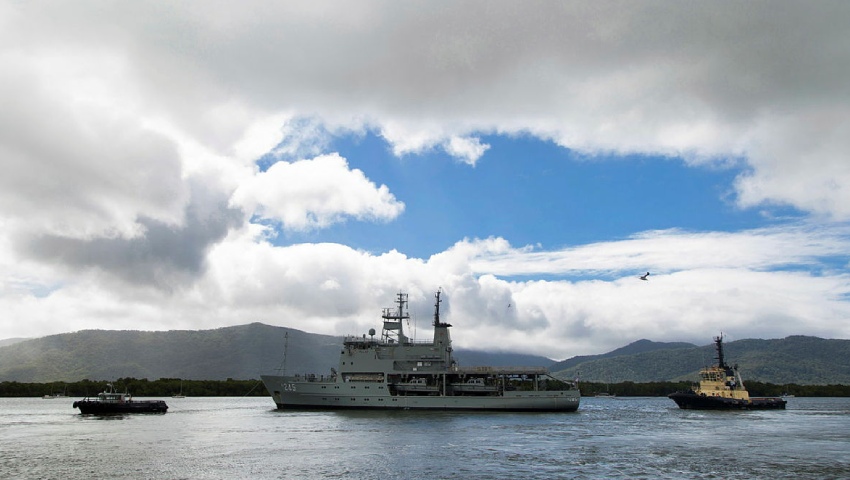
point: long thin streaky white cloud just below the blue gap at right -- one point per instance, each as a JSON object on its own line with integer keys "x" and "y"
{"x": 666, "y": 251}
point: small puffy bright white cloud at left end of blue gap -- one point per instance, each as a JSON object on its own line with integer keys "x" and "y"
{"x": 316, "y": 193}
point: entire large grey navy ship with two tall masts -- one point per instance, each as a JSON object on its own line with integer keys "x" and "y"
{"x": 396, "y": 372}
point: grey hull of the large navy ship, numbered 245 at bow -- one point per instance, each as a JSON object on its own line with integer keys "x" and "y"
{"x": 289, "y": 393}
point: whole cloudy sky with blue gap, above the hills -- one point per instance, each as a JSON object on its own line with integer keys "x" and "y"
{"x": 196, "y": 165}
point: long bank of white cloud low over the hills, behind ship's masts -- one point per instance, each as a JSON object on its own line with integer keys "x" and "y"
{"x": 334, "y": 289}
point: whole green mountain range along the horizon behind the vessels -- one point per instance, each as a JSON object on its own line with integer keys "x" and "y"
{"x": 247, "y": 351}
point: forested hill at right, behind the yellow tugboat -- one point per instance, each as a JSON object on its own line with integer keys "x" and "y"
{"x": 796, "y": 359}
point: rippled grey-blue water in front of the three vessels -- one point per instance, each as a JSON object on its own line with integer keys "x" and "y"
{"x": 244, "y": 437}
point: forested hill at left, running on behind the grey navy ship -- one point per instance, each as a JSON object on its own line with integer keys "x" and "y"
{"x": 241, "y": 352}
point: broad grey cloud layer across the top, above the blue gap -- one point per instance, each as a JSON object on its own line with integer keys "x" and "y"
{"x": 705, "y": 83}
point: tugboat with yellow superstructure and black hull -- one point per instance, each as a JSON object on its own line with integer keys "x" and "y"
{"x": 721, "y": 388}
